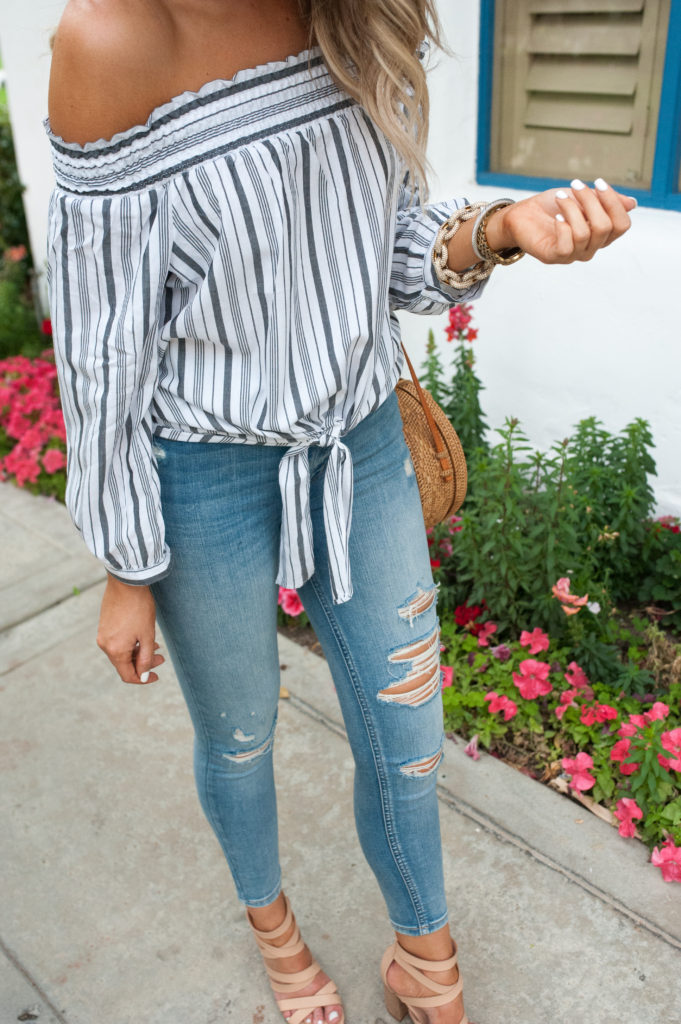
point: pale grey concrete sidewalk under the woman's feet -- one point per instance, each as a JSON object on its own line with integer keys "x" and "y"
{"x": 117, "y": 907}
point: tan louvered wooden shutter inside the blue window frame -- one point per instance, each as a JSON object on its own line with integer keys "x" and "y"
{"x": 577, "y": 88}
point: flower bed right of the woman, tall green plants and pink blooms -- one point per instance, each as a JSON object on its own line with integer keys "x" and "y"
{"x": 555, "y": 582}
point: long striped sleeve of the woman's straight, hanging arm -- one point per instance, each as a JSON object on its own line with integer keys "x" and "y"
{"x": 108, "y": 263}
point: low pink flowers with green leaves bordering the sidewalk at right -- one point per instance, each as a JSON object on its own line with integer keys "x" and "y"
{"x": 528, "y": 702}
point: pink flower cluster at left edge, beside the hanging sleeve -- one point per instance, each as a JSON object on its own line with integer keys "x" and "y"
{"x": 32, "y": 431}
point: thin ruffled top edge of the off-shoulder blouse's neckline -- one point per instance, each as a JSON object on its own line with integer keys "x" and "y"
{"x": 189, "y": 96}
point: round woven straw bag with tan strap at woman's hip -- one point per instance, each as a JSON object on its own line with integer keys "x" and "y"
{"x": 439, "y": 459}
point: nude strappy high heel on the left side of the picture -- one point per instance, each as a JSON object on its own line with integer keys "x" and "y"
{"x": 286, "y": 985}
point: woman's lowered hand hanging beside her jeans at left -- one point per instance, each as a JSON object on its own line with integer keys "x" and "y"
{"x": 126, "y": 634}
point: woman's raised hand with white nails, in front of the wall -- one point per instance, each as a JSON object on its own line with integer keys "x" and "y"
{"x": 563, "y": 226}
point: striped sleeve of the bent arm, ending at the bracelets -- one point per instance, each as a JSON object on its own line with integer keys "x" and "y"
{"x": 414, "y": 283}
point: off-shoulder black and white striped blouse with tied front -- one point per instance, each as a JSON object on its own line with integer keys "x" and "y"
{"x": 228, "y": 273}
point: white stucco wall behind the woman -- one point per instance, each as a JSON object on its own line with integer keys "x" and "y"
{"x": 557, "y": 345}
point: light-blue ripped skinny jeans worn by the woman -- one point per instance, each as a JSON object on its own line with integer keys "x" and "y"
{"x": 218, "y": 611}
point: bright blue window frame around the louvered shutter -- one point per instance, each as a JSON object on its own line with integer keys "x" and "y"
{"x": 664, "y": 190}
